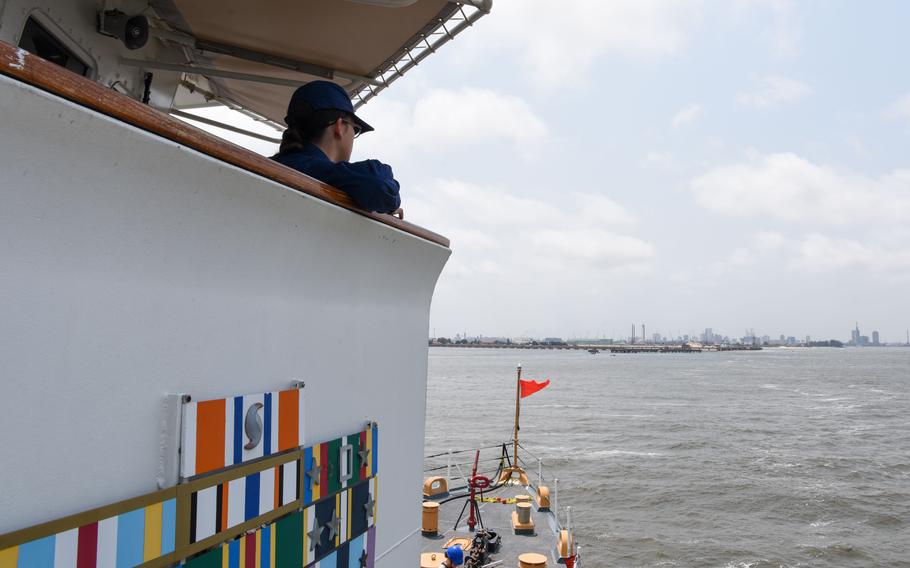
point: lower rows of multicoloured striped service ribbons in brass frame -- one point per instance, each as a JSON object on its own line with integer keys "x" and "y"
{"x": 337, "y": 519}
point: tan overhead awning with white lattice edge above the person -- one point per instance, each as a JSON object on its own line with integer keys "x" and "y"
{"x": 254, "y": 54}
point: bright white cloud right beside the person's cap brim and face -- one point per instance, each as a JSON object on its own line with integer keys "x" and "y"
{"x": 446, "y": 118}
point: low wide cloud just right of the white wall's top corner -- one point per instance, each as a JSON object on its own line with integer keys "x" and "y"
{"x": 497, "y": 228}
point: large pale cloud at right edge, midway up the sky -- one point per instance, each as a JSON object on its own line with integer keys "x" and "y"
{"x": 790, "y": 188}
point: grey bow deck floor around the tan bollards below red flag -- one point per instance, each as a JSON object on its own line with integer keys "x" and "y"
{"x": 496, "y": 517}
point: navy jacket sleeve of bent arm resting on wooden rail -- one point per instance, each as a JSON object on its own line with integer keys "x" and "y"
{"x": 369, "y": 183}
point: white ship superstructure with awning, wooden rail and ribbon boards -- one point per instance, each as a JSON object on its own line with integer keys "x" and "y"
{"x": 207, "y": 358}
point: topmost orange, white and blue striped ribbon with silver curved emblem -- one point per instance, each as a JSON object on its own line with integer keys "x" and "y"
{"x": 230, "y": 431}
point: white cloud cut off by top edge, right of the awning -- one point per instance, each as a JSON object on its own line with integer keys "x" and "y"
{"x": 561, "y": 41}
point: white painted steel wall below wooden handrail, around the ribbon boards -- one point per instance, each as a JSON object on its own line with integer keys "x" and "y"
{"x": 133, "y": 268}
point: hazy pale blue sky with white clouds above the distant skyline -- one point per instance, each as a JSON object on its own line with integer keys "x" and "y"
{"x": 685, "y": 165}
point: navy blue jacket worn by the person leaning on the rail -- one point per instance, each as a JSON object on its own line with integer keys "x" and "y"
{"x": 369, "y": 183}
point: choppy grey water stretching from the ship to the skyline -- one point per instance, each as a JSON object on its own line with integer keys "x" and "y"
{"x": 784, "y": 457}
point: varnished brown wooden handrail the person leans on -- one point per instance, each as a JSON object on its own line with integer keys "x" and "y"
{"x": 31, "y": 69}
